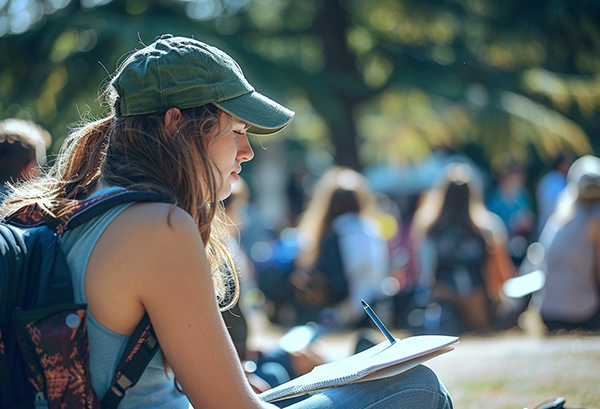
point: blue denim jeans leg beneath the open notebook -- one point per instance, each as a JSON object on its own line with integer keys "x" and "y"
{"x": 418, "y": 388}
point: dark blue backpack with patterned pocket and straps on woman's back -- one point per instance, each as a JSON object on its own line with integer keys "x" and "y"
{"x": 44, "y": 351}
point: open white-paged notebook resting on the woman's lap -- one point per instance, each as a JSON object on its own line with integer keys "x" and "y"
{"x": 382, "y": 360}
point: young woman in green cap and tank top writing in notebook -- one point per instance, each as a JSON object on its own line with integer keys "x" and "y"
{"x": 181, "y": 113}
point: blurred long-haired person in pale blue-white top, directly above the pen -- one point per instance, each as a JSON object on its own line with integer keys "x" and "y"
{"x": 341, "y": 245}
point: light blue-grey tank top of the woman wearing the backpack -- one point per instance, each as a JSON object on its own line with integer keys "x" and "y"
{"x": 154, "y": 389}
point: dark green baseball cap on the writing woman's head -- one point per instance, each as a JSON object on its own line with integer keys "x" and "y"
{"x": 180, "y": 72}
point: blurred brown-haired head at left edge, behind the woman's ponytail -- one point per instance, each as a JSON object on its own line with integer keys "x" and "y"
{"x": 23, "y": 147}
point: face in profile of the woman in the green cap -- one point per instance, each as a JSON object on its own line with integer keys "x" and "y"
{"x": 228, "y": 151}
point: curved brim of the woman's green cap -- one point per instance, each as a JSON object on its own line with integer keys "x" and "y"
{"x": 264, "y": 115}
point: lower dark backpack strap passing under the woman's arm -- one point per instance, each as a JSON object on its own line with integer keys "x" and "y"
{"x": 138, "y": 353}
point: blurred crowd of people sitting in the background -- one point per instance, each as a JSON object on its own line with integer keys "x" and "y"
{"x": 460, "y": 258}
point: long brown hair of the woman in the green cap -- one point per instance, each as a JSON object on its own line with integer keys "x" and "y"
{"x": 139, "y": 153}
